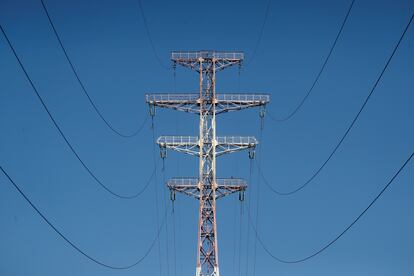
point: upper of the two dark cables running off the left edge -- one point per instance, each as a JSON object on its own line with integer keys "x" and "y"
{"x": 64, "y": 136}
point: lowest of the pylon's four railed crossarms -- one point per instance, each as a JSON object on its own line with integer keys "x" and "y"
{"x": 190, "y": 186}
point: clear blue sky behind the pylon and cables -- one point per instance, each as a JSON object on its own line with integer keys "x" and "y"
{"x": 107, "y": 43}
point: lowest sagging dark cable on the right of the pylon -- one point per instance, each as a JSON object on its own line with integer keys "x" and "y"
{"x": 293, "y": 261}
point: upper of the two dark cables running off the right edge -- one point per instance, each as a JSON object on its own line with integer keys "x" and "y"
{"x": 349, "y": 127}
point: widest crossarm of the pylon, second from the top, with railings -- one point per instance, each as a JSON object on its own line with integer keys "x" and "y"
{"x": 190, "y": 102}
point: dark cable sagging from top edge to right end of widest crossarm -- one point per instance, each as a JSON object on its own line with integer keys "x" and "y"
{"x": 290, "y": 115}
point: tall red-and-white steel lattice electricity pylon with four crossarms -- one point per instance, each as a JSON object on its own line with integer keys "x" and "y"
{"x": 207, "y": 146}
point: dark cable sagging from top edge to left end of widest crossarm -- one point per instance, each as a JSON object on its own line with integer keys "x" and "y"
{"x": 135, "y": 132}
